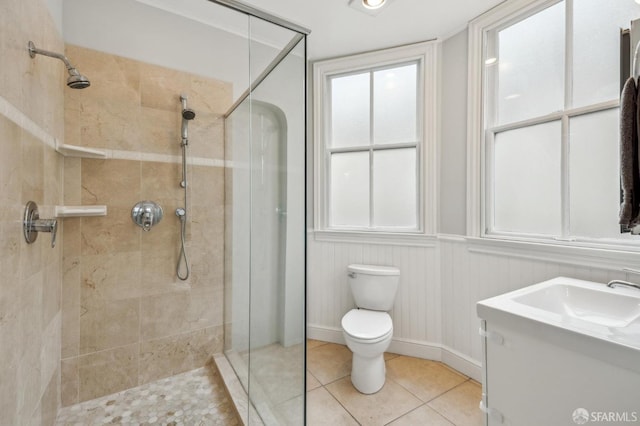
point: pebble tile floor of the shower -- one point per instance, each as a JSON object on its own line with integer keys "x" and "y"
{"x": 197, "y": 397}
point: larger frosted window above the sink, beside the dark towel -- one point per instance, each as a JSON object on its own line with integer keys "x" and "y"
{"x": 545, "y": 130}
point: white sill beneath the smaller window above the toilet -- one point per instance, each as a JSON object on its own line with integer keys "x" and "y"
{"x": 387, "y": 238}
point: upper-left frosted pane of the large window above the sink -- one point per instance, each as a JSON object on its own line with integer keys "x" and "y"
{"x": 531, "y": 66}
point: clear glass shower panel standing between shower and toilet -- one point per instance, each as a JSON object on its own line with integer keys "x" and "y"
{"x": 265, "y": 239}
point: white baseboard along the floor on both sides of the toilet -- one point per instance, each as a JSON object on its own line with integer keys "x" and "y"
{"x": 417, "y": 349}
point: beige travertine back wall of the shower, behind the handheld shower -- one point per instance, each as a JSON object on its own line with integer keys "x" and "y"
{"x": 126, "y": 318}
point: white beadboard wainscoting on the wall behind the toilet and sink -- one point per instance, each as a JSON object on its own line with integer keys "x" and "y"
{"x": 434, "y": 315}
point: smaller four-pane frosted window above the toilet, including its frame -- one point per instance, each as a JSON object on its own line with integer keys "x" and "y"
{"x": 374, "y": 133}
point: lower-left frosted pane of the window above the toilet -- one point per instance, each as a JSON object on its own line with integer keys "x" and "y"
{"x": 350, "y": 189}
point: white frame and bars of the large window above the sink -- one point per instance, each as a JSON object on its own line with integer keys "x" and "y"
{"x": 478, "y": 138}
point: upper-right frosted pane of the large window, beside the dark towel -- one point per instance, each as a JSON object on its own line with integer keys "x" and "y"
{"x": 596, "y": 48}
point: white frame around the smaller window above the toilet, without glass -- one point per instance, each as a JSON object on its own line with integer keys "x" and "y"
{"x": 425, "y": 54}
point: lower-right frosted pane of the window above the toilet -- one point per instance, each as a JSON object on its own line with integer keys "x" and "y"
{"x": 394, "y": 188}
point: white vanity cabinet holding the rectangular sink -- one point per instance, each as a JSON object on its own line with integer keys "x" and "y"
{"x": 540, "y": 373}
